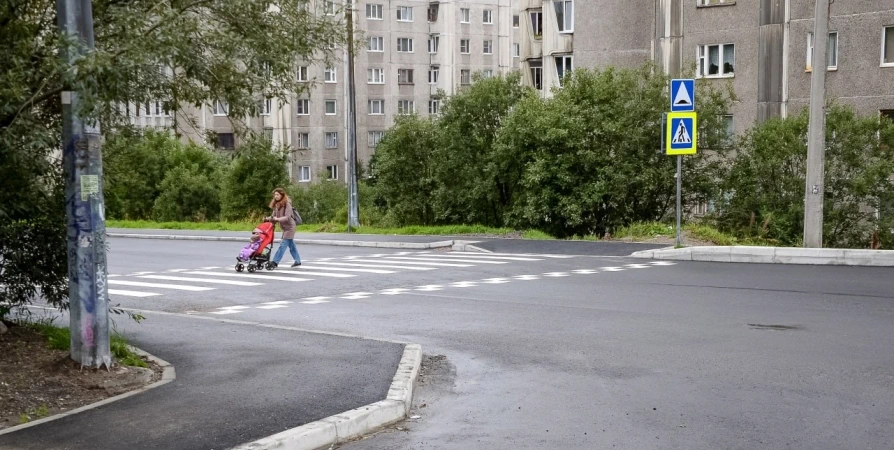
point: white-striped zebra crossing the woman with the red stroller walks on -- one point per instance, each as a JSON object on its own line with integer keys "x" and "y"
{"x": 145, "y": 284}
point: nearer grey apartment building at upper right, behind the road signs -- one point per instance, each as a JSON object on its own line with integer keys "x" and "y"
{"x": 762, "y": 47}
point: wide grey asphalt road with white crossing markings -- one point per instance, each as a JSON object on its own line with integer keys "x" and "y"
{"x": 583, "y": 352}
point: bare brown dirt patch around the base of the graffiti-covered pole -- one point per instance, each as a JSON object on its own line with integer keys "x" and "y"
{"x": 37, "y": 381}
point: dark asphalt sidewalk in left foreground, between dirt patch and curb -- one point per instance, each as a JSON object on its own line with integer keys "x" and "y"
{"x": 235, "y": 383}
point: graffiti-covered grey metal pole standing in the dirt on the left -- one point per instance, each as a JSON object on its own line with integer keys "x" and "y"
{"x": 82, "y": 161}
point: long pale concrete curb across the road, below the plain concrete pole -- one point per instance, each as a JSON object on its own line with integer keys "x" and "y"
{"x": 774, "y": 255}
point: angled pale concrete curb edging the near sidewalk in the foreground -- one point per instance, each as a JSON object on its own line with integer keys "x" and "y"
{"x": 352, "y": 424}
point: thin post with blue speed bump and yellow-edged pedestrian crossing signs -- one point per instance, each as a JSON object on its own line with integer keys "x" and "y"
{"x": 681, "y": 135}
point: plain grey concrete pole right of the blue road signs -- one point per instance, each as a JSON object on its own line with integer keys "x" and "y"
{"x": 816, "y": 133}
